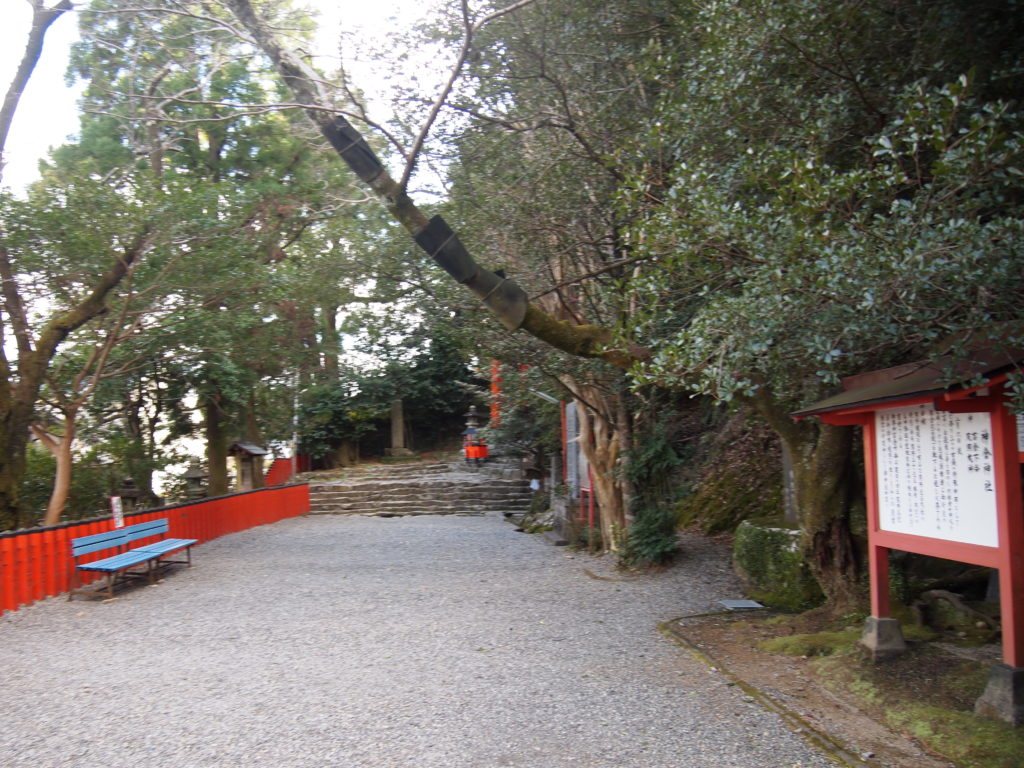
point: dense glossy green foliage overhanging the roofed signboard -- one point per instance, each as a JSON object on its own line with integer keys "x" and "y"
{"x": 823, "y": 209}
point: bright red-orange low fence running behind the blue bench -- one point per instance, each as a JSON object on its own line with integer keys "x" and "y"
{"x": 36, "y": 564}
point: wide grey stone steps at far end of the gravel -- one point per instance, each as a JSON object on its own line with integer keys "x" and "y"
{"x": 420, "y": 489}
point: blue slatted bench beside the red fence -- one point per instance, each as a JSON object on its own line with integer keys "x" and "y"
{"x": 118, "y": 568}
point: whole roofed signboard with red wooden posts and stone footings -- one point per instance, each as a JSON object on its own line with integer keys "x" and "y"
{"x": 966, "y": 527}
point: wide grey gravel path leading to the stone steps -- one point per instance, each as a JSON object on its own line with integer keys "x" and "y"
{"x": 416, "y": 643}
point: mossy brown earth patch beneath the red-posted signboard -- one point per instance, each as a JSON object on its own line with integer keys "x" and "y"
{"x": 927, "y": 695}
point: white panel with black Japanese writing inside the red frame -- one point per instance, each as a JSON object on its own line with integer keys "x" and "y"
{"x": 936, "y": 475}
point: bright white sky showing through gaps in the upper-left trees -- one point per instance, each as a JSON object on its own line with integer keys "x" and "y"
{"x": 48, "y": 114}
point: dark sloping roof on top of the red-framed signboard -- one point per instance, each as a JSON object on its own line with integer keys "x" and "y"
{"x": 919, "y": 380}
